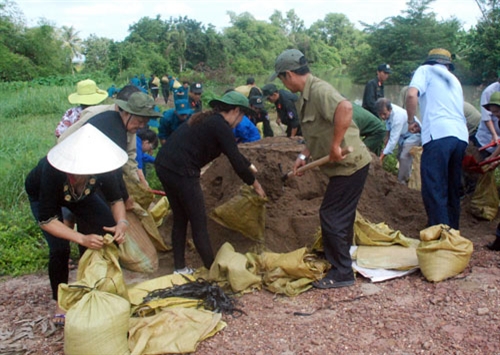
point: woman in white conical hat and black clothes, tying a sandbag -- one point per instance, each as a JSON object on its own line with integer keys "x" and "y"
{"x": 68, "y": 177}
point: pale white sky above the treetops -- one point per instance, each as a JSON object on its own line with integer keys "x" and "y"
{"x": 112, "y": 18}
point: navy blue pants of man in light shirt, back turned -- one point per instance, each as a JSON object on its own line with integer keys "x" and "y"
{"x": 441, "y": 174}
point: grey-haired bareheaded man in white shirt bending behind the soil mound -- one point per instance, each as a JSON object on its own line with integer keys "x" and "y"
{"x": 395, "y": 118}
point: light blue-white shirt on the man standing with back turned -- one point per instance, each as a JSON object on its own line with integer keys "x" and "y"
{"x": 441, "y": 103}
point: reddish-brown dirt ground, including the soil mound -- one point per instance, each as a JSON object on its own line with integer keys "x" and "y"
{"x": 408, "y": 315}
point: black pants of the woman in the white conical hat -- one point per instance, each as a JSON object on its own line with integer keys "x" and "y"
{"x": 91, "y": 214}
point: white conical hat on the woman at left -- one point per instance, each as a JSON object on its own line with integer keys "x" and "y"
{"x": 88, "y": 151}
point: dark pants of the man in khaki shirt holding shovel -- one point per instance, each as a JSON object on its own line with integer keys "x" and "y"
{"x": 337, "y": 215}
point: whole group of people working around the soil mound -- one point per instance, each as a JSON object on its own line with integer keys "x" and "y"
{"x": 83, "y": 175}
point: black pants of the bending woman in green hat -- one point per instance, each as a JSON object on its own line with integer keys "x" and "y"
{"x": 188, "y": 205}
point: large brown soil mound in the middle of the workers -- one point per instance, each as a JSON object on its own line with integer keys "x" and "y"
{"x": 292, "y": 211}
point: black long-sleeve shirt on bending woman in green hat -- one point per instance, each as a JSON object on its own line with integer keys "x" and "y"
{"x": 192, "y": 146}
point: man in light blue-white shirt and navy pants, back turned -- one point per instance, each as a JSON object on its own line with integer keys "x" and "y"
{"x": 444, "y": 135}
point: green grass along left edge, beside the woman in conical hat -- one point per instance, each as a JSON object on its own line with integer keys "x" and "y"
{"x": 26, "y": 136}
